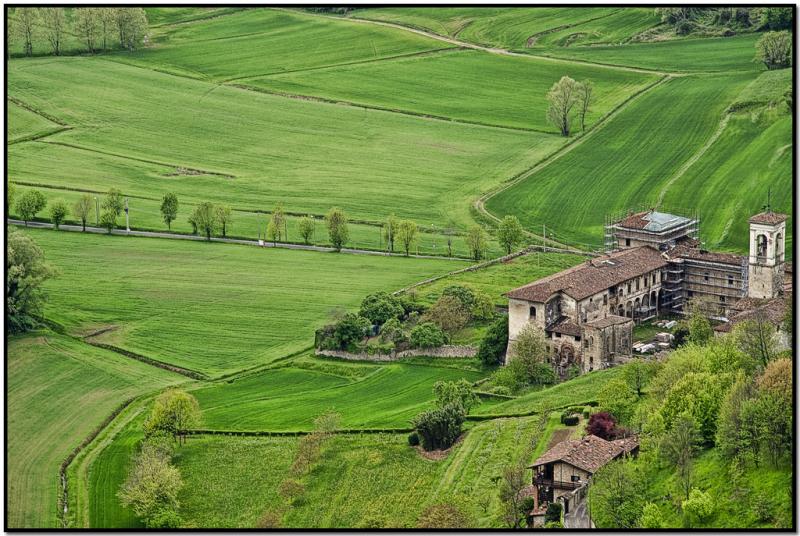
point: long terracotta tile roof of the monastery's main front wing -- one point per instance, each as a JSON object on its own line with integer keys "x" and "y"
{"x": 593, "y": 276}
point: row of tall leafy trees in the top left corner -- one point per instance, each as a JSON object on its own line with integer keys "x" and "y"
{"x": 97, "y": 28}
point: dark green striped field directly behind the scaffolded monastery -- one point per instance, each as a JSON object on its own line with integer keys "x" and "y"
{"x": 630, "y": 161}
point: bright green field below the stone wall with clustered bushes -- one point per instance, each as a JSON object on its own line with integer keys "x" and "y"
{"x": 289, "y": 399}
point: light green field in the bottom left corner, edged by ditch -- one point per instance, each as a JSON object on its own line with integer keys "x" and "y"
{"x": 58, "y": 391}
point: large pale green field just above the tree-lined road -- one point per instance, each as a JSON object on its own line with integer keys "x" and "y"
{"x": 310, "y": 156}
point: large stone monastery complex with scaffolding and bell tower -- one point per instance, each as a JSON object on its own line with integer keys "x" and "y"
{"x": 656, "y": 265}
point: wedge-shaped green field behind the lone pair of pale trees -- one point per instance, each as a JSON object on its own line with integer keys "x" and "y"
{"x": 461, "y": 85}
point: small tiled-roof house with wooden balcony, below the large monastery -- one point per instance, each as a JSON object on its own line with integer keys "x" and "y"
{"x": 568, "y": 466}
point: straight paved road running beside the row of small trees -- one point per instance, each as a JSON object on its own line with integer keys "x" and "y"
{"x": 178, "y": 236}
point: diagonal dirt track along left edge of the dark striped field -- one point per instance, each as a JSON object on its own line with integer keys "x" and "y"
{"x": 480, "y": 204}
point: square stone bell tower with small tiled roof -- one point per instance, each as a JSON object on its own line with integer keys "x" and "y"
{"x": 767, "y": 255}
